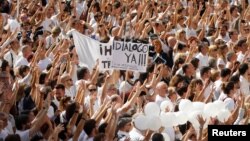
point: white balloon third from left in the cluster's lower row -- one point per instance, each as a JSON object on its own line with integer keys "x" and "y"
{"x": 168, "y": 119}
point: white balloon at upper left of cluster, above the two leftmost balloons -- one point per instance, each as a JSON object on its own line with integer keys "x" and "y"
{"x": 152, "y": 109}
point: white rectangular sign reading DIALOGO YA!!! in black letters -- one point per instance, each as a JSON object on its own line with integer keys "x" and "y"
{"x": 130, "y": 56}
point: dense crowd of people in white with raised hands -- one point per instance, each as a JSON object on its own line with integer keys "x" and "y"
{"x": 198, "y": 50}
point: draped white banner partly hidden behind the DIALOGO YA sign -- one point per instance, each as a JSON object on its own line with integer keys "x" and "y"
{"x": 89, "y": 50}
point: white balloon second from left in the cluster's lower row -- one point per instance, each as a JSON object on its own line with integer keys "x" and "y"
{"x": 154, "y": 123}
